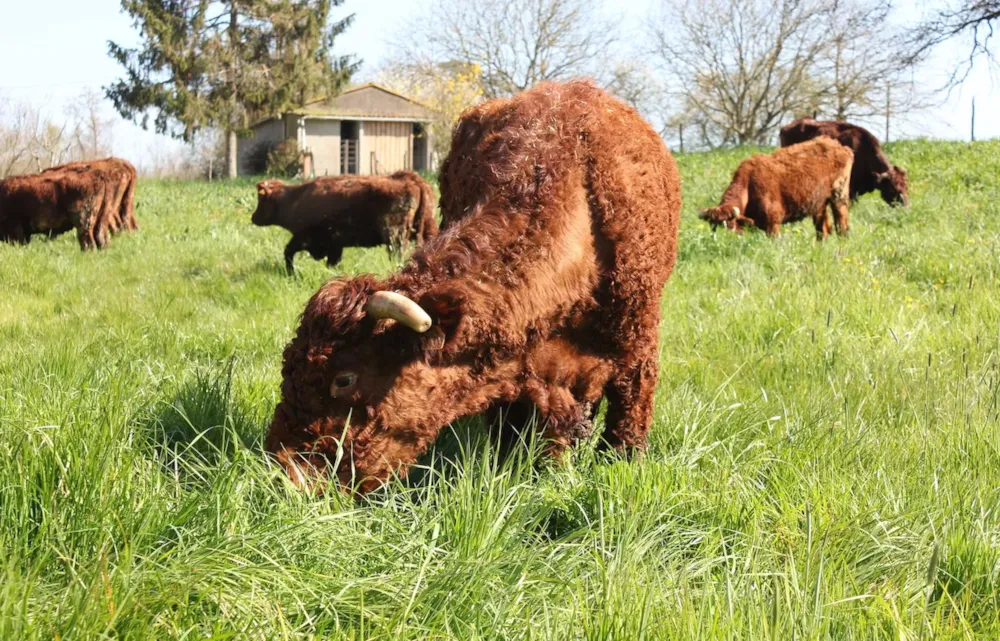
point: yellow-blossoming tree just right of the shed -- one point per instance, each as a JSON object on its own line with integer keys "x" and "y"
{"x": 448, "y": 88}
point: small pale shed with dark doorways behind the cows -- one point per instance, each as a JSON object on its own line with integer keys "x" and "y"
{"x": 364, "y": 130}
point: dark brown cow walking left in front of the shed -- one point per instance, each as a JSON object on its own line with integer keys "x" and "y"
{"x": 327, "y": 214}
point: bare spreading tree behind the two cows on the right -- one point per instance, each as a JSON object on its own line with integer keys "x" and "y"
{"x": 742, "y": 65}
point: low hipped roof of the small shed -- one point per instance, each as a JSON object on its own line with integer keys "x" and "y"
{"x": 367, "y": 101}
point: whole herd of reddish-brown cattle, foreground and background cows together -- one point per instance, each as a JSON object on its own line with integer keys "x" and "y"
{"x": 540, "y": 295}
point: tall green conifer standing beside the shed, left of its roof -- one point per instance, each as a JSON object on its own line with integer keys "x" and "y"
{"x": 226, "y": 64}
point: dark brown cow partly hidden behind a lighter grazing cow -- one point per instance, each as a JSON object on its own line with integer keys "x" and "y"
{"x": 872, "y": 169}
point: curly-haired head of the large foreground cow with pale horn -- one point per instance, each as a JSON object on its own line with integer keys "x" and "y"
{"x": 369, "y": 380}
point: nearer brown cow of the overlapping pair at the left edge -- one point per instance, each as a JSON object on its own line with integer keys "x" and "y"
{"x": 52, "y": 203}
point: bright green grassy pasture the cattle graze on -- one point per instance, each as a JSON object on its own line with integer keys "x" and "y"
{"x": 824, "y": 463}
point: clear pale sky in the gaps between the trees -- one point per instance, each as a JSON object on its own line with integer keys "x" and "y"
{"x": 53, "y": 50}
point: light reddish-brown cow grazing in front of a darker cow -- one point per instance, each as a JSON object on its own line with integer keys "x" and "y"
{"x": 787, "y": 186}
